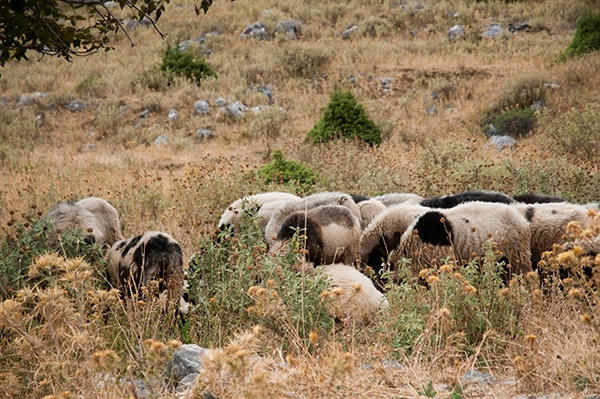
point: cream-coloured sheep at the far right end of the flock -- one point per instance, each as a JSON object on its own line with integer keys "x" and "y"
{"x": 548, "y": 223}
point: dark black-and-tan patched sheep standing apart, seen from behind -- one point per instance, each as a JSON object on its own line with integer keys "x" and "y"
{"x": 133, "y": 263}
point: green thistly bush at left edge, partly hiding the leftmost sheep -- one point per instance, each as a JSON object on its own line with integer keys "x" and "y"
{"x": 29, "y": 239}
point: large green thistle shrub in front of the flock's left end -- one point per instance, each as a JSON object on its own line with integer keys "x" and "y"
{"x": 236, "y": 285}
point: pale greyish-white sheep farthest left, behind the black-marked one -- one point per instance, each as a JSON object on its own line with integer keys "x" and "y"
{"x": 94, "y": 217}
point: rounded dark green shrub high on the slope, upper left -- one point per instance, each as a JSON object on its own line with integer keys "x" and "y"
{"x": 185, "y": 64}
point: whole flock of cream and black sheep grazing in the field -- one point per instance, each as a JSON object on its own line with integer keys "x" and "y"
{"x": 349, "y": 236}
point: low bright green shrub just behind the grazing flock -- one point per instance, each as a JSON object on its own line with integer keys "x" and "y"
{"x": 284, "y": 171}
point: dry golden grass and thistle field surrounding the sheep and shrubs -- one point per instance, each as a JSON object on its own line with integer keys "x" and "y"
{"x": 63, "y": 335}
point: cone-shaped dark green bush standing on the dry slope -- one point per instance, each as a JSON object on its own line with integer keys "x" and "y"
{"x": 344, "y": 118}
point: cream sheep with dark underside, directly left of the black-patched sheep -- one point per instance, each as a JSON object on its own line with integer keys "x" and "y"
{"x": 383, "y": 234}
